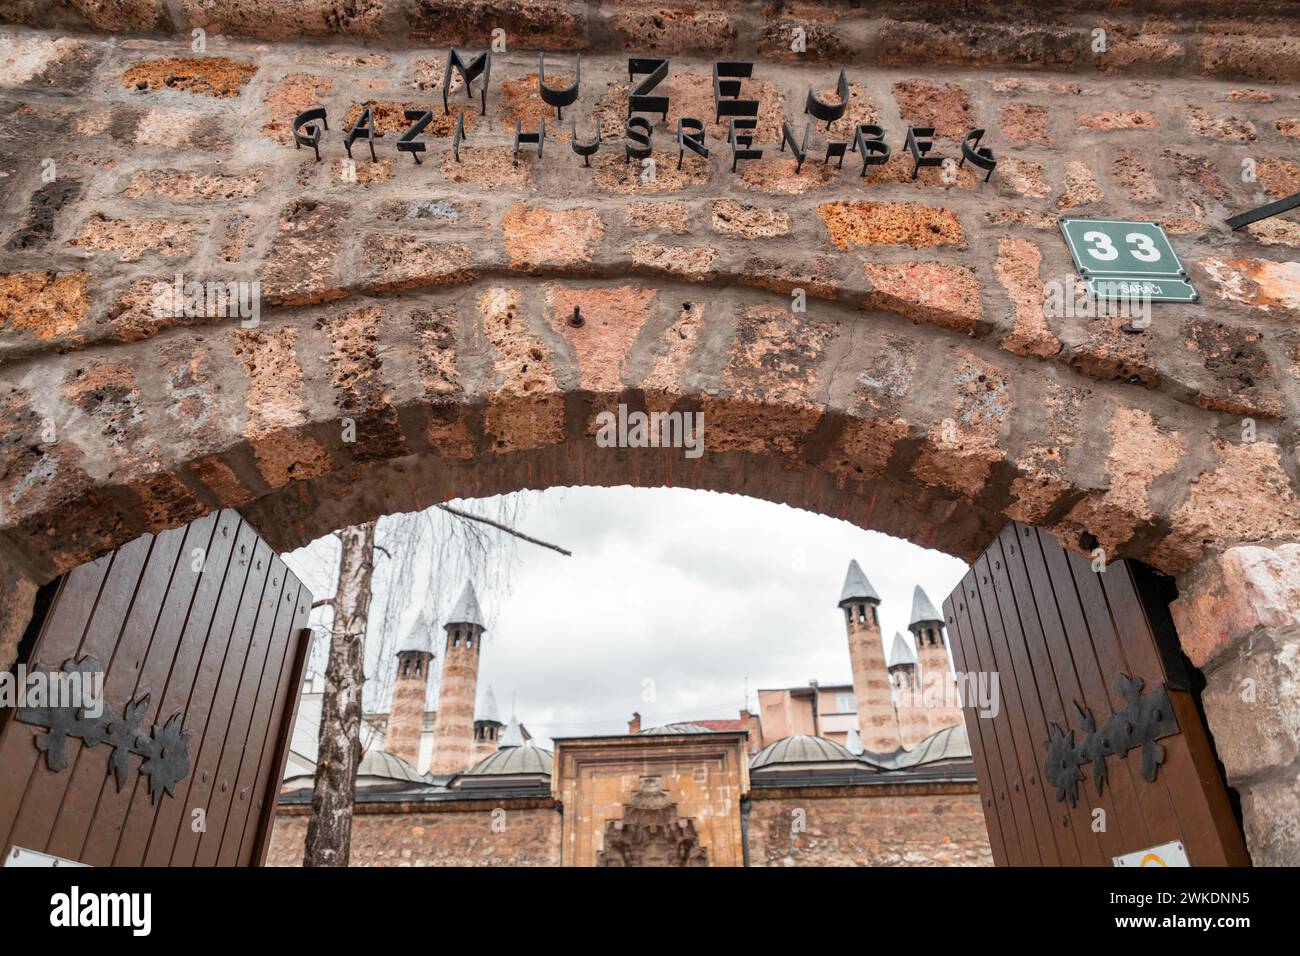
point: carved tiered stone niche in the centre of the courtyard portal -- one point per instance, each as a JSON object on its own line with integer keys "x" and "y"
{"x": 652, "y": 833}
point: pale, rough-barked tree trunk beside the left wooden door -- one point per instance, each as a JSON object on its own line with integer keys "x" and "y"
{"x": 330, "y": 832}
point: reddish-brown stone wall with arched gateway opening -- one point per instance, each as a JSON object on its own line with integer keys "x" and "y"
{"x": 417, "y": 341}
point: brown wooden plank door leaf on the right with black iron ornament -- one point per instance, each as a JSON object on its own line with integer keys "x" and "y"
{"x": 1065, "y": 642}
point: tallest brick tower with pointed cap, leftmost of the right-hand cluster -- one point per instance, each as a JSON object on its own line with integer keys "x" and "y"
{"x": 877, "y": 721}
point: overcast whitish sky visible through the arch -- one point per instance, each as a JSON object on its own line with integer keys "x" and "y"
{"x": 674, "y": 603}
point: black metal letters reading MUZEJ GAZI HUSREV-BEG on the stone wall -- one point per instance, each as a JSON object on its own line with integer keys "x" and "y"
{"x": 647, "y": 75}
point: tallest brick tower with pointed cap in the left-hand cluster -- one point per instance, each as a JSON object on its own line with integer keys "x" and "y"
{"x": 454, "y": 725}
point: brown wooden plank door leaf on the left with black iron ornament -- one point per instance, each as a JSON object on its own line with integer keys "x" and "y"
{"x": 202, "y": 624}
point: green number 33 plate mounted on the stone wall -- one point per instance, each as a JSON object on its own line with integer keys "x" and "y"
{"x": 1123, "y": 259}
